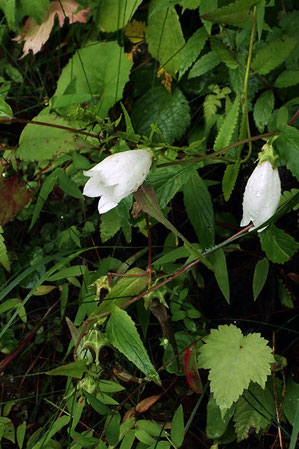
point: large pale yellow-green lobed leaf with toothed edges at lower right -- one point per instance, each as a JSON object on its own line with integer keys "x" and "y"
{"x": 234, "y": 361}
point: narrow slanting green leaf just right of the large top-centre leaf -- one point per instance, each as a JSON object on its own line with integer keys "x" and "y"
{"x": 192, "y": 49}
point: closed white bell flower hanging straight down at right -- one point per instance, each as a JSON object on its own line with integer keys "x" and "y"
{"x": 261, "y": 196}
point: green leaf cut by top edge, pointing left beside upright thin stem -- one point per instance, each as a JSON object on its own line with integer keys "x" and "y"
{"x": 232, "y": 14}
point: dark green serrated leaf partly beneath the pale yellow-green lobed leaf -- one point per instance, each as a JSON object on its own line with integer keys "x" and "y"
{"x": 255, "y": 409}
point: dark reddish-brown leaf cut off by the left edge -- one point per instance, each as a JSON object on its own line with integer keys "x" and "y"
{"x": 14, "y": 198}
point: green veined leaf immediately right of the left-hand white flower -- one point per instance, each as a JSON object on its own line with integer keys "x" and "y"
{"x": 167, "y": 181}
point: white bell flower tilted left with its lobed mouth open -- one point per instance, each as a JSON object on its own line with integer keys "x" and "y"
{"x": 116, "y": 177}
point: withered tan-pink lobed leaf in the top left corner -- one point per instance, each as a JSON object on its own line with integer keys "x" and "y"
{"x": 36, "y": 35}
